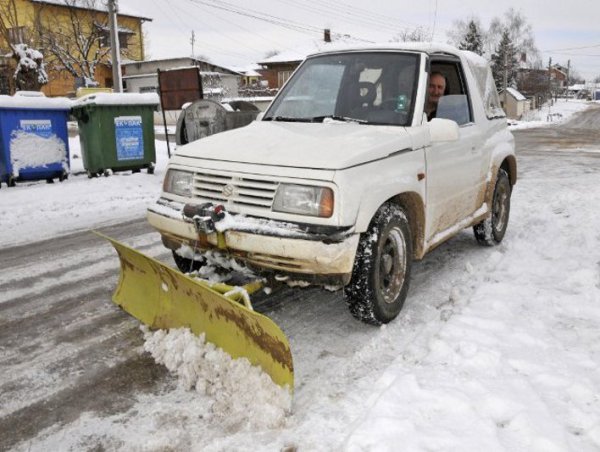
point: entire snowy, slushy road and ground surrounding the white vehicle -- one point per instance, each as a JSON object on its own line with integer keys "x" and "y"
{"x": 496, "y": 349}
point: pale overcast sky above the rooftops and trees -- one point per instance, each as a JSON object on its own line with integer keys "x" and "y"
{"x": 563, "y": 29}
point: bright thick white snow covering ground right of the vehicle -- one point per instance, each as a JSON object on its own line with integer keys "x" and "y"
{"x": 518, "y": 369}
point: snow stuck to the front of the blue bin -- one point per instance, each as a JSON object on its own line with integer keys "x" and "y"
{"x": 29, "y": 150}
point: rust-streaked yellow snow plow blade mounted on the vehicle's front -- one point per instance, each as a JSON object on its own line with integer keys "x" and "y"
{"x": 162, "y": 297}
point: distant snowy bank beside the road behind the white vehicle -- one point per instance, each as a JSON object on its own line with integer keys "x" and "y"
{"x": 553, "y": 112}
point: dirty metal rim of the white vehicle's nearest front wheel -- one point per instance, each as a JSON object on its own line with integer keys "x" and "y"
{"x": 392, "y": 266}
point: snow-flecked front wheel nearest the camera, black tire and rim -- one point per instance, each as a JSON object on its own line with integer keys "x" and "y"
{"x": 381, "y": 272}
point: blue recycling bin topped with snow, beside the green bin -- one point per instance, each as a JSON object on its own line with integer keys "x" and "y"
{"x": 34, "y": 142}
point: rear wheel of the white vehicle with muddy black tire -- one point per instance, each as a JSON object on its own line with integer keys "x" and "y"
{"x": 491, "y": 230}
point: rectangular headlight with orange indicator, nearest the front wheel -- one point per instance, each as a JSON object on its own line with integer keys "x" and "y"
{"x": 304, "y": 200}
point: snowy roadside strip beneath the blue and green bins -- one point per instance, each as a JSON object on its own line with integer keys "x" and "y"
{"x": 36, "y": 210}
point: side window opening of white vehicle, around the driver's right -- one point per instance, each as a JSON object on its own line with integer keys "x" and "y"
{"x": 455, "y": 104}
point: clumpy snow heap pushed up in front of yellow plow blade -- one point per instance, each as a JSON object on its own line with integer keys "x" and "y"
{"x": 242, "y": 395}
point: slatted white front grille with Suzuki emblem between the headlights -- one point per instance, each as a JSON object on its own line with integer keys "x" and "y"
{"x": 234, "y": 190}
